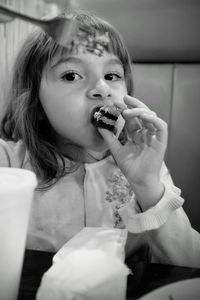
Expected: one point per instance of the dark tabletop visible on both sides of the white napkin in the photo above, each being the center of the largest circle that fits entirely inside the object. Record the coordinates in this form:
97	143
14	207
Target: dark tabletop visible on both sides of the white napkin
145	278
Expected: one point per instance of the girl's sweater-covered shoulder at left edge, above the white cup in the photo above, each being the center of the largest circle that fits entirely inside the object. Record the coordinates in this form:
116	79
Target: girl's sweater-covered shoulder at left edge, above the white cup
12	154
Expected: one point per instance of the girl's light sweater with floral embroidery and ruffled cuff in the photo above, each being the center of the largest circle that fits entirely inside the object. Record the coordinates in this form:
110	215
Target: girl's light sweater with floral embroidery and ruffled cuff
98	195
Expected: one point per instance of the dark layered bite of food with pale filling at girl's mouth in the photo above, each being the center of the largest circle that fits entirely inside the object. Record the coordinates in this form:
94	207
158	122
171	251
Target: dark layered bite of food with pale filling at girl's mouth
106	117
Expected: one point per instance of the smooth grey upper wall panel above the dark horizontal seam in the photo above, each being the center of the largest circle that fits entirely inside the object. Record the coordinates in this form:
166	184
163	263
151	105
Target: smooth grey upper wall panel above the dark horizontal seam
154	30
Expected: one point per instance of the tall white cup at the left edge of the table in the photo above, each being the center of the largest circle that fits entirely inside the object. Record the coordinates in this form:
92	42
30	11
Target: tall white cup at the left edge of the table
16	194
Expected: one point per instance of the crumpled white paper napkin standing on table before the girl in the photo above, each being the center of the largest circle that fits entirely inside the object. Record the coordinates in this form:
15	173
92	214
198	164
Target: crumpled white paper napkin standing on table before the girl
88	267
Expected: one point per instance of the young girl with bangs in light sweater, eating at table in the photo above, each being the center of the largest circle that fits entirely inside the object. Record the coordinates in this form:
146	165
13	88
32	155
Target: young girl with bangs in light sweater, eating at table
88	176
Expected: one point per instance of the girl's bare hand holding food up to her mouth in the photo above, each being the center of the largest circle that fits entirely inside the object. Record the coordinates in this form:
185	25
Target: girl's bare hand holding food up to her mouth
141	158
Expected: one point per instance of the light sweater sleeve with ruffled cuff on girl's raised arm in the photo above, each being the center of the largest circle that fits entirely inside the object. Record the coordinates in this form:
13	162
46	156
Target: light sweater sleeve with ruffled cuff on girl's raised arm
166	228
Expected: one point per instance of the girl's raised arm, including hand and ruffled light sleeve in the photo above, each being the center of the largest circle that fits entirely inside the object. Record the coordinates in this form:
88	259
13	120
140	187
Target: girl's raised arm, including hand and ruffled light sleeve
162	222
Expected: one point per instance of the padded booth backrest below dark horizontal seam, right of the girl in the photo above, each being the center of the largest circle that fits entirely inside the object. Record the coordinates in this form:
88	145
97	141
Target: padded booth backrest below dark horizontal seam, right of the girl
172	90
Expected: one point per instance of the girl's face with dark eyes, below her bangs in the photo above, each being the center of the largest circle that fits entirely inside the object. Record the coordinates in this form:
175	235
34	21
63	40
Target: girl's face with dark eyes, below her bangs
70	89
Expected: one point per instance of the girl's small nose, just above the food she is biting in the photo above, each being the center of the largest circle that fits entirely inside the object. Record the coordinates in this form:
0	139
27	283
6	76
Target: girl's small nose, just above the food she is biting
100	91
